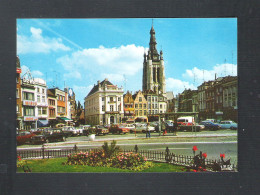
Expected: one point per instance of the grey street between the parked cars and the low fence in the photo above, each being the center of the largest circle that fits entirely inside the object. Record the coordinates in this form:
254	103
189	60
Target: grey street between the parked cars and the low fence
211	142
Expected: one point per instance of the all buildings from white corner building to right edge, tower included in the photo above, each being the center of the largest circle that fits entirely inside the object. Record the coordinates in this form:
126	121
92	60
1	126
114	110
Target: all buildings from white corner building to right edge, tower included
106	103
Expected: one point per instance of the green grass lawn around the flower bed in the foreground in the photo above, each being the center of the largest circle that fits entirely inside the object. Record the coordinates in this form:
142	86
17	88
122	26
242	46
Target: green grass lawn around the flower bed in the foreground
55	166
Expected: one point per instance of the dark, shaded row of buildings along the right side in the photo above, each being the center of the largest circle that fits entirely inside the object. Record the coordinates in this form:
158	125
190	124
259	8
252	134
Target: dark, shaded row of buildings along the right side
215	99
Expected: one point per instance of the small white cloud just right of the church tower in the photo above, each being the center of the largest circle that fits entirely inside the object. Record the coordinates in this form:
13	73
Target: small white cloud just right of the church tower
178	86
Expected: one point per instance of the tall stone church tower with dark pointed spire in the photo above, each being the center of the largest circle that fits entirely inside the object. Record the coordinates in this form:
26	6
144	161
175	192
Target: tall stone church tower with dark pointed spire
153	68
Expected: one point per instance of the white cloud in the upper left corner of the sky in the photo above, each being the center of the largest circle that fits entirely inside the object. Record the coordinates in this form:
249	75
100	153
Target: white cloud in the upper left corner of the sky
36	43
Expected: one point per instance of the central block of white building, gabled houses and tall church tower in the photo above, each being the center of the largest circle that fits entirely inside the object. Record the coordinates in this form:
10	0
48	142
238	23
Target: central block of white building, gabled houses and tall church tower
106	103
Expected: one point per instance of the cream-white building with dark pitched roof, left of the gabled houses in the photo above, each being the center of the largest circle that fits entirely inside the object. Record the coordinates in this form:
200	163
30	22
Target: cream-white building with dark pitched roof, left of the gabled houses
104	104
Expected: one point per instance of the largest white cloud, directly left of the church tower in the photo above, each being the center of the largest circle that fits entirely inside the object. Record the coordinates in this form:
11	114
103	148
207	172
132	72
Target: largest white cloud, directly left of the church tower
112	62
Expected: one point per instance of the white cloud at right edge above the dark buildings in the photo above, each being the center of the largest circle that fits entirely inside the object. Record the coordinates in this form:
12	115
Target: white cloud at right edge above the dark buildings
204	75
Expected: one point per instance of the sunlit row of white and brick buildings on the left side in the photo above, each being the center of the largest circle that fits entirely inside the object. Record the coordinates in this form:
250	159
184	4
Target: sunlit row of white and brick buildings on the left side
38	106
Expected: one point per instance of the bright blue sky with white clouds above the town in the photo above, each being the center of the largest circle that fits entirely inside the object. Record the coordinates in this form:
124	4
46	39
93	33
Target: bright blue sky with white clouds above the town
76	53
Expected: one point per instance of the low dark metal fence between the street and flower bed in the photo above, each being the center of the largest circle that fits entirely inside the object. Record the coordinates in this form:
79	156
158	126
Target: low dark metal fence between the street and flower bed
166	156
